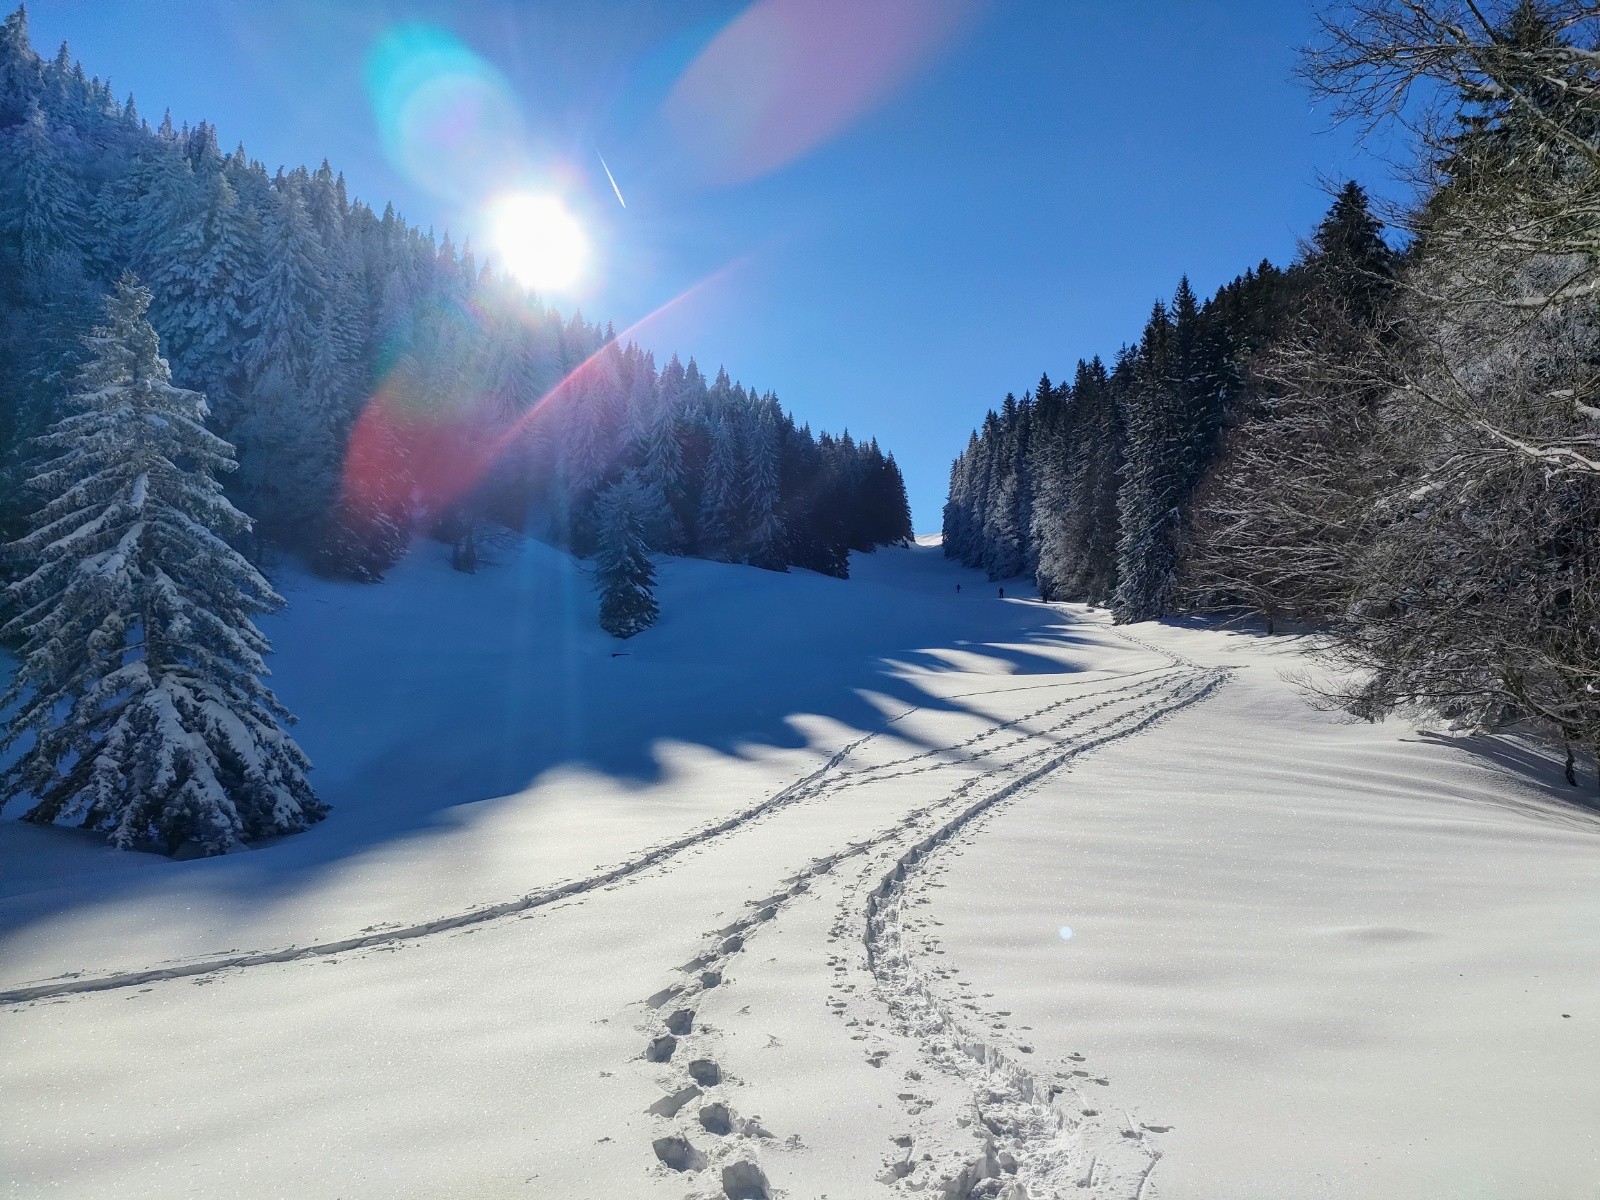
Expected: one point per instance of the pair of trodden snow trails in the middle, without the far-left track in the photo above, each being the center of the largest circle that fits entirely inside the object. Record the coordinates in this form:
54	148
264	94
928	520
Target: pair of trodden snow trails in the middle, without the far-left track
1012	1102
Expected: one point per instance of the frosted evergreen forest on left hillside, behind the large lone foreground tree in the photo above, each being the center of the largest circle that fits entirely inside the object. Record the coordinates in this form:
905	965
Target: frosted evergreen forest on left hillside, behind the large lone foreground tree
372	380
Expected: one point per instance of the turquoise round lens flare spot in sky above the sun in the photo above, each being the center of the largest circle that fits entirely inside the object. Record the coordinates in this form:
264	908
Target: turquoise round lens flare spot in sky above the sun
447	118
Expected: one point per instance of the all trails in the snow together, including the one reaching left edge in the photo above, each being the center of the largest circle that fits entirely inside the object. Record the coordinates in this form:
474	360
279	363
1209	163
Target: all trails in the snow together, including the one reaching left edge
1036	1143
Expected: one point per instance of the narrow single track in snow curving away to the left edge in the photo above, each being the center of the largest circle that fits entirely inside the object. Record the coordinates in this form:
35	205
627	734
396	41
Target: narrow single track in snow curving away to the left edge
806	788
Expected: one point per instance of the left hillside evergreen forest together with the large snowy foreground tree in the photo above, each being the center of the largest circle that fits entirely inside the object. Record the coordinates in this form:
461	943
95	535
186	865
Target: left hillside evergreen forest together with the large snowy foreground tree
206	367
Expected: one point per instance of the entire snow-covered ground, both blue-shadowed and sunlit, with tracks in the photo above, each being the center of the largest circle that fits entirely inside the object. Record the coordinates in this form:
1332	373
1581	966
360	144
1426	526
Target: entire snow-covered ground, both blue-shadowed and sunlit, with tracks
777	905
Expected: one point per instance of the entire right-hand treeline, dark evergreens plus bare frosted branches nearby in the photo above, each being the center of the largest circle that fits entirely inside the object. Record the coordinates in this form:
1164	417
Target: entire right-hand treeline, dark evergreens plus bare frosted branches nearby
1398	450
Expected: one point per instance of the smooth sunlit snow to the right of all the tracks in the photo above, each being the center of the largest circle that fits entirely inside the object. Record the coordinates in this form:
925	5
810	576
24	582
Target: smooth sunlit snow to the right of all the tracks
1330	959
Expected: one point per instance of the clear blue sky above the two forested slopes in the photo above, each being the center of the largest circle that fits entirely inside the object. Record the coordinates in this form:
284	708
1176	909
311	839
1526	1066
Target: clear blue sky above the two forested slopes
1015	198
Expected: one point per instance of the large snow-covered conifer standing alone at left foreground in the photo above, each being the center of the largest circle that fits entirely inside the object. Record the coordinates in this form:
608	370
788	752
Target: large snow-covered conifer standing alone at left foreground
140	702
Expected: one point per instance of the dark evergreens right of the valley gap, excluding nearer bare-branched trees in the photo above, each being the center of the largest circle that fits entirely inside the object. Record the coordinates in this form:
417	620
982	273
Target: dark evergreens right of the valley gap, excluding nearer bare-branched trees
1090	486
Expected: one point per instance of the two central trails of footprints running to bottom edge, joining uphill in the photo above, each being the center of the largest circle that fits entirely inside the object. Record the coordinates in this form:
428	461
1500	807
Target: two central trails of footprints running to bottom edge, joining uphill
1036	1143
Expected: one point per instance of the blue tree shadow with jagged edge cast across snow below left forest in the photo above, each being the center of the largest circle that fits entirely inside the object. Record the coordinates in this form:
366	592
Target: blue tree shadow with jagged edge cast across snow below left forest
434	700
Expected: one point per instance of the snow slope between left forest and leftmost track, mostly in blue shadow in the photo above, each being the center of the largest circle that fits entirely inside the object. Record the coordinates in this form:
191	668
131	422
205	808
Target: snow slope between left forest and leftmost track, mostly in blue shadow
478	735
